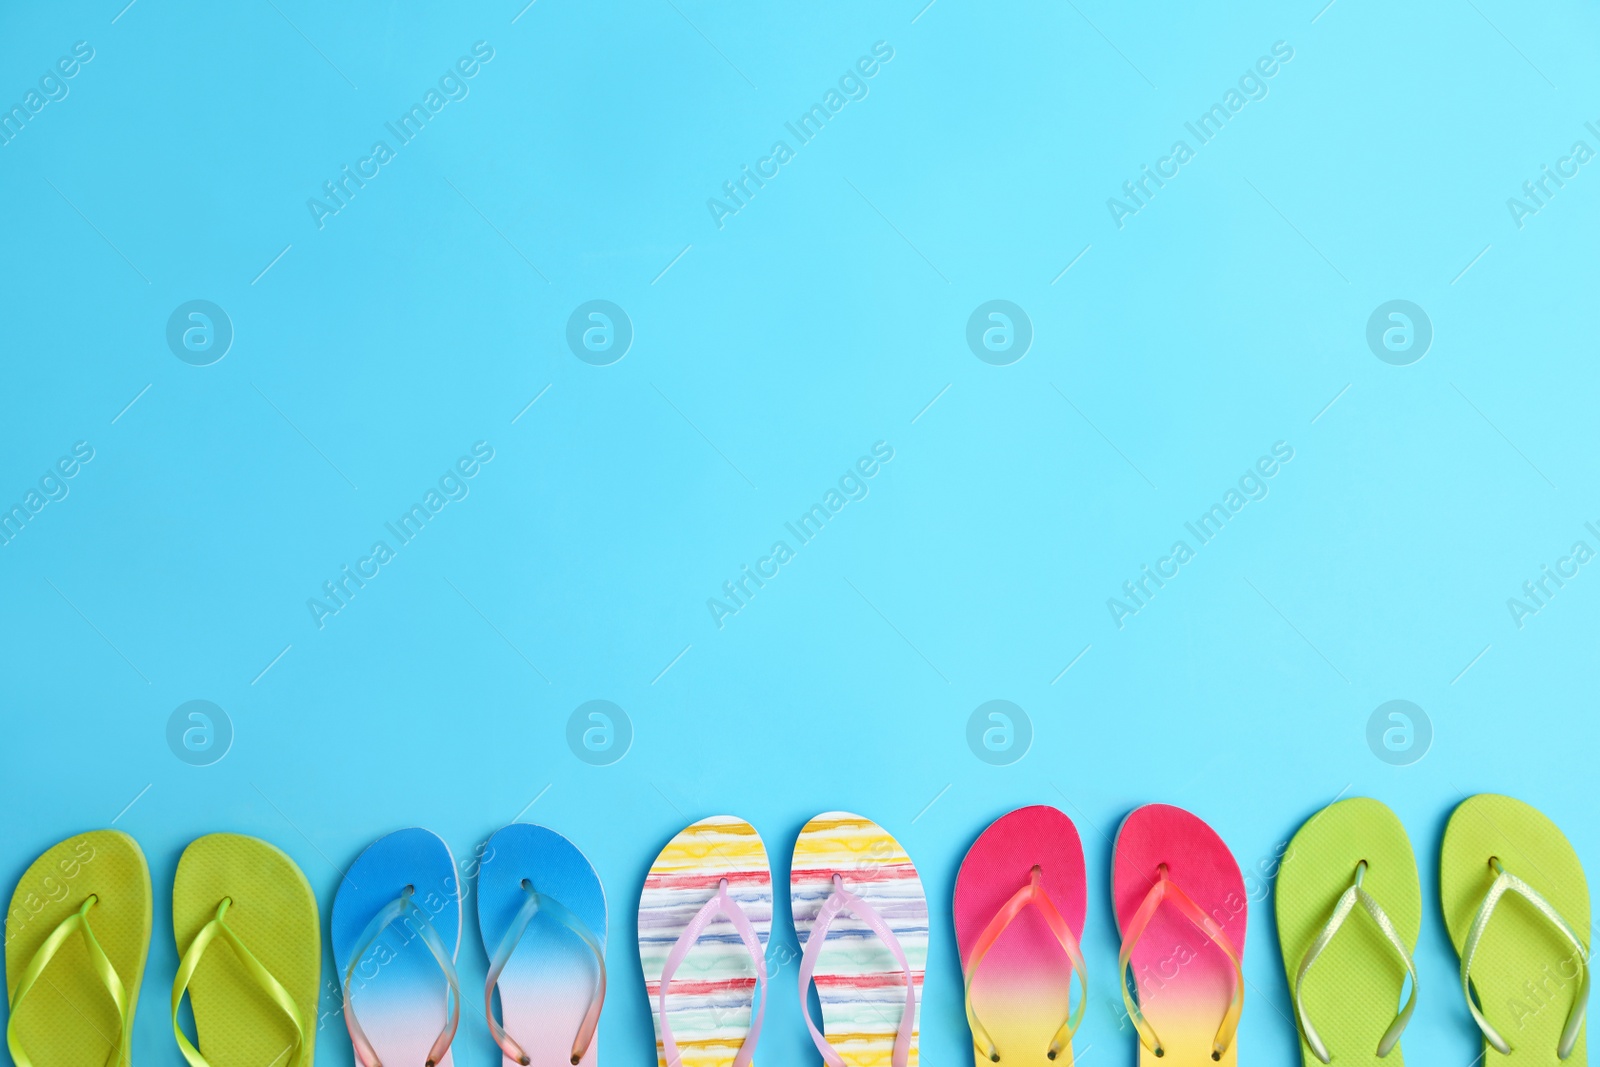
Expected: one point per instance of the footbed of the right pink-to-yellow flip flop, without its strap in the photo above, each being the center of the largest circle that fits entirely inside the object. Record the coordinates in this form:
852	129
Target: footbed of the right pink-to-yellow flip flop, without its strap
1183	980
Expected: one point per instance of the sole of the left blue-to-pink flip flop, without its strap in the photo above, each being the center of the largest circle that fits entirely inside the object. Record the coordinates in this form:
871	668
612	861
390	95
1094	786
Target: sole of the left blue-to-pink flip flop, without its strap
399	994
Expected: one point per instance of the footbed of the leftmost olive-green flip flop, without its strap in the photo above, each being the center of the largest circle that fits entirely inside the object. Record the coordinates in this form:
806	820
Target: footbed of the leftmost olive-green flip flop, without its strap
70	1018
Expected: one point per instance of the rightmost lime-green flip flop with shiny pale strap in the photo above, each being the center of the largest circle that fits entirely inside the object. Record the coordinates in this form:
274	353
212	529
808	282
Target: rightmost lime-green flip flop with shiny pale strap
1527	959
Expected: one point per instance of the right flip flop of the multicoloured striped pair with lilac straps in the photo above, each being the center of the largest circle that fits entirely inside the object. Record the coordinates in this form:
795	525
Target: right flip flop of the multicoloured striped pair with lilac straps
862	919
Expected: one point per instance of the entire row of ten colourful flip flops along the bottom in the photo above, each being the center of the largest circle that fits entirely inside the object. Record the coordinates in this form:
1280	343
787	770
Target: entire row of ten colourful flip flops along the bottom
246	924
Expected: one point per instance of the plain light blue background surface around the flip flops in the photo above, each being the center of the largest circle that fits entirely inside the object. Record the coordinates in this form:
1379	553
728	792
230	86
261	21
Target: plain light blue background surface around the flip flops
822	319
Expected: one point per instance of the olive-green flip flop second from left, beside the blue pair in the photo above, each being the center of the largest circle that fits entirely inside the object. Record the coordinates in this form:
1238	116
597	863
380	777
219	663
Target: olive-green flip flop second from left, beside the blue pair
255	1002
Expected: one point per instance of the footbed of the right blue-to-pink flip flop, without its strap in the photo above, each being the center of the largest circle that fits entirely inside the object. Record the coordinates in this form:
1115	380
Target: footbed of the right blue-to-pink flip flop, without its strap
551	977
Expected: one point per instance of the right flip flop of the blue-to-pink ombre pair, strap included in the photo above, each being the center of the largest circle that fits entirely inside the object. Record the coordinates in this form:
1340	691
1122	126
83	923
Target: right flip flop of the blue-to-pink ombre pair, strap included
542	913
